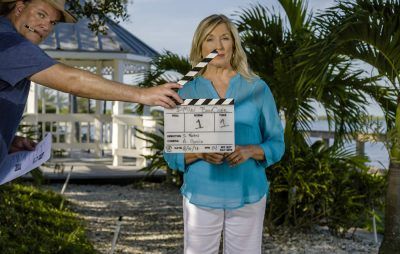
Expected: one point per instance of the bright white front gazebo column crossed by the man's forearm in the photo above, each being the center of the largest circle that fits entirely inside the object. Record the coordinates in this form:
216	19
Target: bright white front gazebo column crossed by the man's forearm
118	108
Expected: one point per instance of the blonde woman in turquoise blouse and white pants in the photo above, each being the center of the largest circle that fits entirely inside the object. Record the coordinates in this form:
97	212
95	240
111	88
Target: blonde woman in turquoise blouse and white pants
227	192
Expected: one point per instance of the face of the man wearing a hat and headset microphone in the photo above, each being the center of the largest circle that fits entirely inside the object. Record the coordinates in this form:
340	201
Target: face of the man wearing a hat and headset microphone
35	20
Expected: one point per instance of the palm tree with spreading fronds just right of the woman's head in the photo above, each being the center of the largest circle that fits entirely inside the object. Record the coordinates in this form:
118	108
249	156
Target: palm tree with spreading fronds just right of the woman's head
275	51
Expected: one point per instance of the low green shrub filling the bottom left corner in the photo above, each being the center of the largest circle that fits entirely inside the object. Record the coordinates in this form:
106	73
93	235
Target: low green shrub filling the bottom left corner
31	222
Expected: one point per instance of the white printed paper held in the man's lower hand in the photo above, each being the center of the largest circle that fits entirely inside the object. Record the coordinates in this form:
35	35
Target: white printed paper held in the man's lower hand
20	163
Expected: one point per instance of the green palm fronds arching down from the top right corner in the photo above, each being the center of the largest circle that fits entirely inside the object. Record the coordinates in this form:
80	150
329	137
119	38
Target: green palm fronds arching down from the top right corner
366	31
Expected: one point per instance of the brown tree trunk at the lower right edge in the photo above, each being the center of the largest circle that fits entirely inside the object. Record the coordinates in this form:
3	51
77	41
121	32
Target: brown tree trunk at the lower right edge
391	239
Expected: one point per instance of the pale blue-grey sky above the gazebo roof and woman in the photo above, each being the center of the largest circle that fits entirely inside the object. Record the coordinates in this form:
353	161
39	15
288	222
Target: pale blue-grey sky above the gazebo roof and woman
170	24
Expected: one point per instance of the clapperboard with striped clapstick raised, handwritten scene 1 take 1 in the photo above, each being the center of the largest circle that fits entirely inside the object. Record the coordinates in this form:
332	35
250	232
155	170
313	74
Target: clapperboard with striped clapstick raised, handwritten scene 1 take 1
200	125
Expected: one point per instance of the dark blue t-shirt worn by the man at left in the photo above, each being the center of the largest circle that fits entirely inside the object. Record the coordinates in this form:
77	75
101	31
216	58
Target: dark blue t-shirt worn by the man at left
19	59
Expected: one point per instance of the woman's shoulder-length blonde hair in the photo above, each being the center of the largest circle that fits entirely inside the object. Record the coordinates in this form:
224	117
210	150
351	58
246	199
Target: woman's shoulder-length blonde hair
206	26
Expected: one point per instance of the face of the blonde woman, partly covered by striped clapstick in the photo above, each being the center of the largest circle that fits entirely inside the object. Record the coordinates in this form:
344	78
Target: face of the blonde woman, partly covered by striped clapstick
220	39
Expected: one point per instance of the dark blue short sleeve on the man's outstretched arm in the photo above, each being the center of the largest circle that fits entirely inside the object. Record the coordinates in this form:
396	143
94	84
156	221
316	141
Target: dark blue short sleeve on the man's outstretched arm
20	58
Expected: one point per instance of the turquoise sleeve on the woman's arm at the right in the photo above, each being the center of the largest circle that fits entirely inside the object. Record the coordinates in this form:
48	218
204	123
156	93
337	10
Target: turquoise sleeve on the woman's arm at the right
271	128
